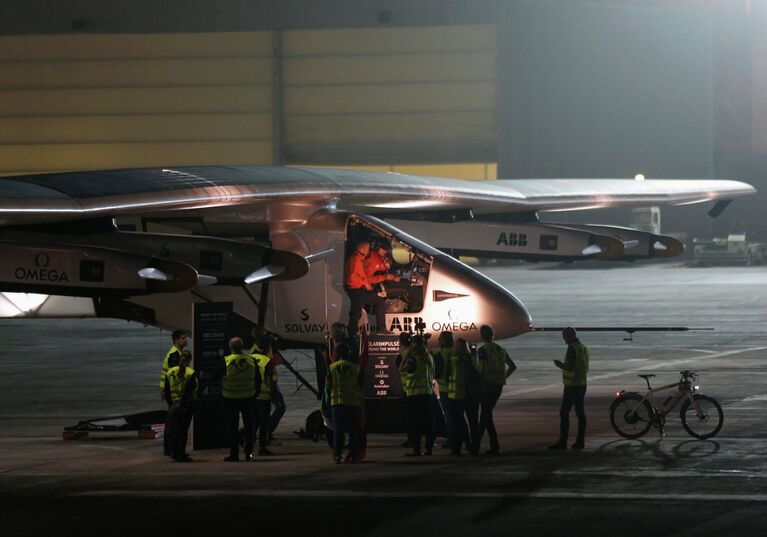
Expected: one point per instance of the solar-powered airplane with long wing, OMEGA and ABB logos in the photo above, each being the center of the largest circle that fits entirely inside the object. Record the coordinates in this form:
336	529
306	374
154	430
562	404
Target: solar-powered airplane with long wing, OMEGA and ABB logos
144	244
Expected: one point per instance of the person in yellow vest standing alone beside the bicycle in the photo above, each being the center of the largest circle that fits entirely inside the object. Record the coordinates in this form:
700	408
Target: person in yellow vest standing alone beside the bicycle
575	368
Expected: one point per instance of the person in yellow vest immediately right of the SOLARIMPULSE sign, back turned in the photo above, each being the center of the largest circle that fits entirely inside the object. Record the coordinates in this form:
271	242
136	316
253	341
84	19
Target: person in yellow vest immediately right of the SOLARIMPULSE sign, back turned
420	395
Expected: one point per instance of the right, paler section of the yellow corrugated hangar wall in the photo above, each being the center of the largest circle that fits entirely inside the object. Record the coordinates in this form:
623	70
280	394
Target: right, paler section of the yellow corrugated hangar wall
390	95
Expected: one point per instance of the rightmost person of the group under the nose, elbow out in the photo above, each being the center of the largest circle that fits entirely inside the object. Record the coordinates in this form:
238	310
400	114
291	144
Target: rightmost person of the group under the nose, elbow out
494	366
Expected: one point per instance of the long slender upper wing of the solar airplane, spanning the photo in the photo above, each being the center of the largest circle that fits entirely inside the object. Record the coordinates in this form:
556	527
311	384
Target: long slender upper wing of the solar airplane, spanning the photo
34	199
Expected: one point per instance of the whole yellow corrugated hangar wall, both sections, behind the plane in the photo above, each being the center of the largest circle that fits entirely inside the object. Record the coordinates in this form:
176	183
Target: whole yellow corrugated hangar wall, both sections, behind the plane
361	96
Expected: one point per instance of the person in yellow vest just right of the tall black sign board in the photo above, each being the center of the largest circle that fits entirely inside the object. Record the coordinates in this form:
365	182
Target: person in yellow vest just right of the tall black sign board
241	384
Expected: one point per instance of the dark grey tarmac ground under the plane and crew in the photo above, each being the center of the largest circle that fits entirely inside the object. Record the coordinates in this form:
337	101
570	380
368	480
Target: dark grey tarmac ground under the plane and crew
56	372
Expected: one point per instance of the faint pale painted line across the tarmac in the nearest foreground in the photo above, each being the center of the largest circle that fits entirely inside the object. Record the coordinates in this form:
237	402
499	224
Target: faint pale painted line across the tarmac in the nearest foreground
364	495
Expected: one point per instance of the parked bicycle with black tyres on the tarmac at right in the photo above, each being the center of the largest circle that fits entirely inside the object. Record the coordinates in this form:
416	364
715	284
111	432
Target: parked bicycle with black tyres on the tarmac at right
632	414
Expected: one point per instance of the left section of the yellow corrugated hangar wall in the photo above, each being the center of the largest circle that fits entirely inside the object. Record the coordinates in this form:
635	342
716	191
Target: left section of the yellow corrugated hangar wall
103	101
